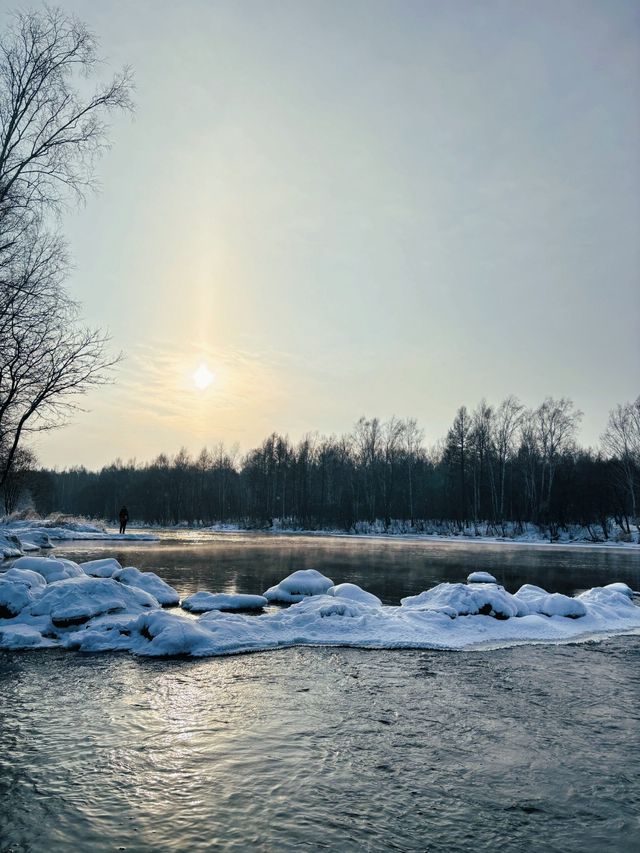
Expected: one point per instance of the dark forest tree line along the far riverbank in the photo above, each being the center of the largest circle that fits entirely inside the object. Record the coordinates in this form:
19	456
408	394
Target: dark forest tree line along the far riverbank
497	467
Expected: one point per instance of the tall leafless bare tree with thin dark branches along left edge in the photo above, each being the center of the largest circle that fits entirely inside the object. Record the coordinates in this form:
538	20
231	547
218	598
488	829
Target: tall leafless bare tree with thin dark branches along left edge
50	136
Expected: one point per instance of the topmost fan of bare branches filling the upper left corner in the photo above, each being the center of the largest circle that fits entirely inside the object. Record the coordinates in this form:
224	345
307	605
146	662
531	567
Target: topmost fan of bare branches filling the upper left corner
50	134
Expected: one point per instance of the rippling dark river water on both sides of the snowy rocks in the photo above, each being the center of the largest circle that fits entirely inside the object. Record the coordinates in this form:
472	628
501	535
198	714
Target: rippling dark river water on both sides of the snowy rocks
523	749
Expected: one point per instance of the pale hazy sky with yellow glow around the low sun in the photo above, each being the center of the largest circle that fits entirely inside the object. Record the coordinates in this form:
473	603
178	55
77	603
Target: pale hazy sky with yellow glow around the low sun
348	208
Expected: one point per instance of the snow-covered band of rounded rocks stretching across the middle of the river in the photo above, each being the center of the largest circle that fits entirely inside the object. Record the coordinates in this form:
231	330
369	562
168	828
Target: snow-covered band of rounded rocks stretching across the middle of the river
39	609
